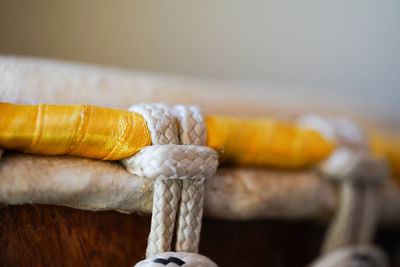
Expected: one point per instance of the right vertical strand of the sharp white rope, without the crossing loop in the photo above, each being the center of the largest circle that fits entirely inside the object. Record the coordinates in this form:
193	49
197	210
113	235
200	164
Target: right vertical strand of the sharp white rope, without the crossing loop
192	131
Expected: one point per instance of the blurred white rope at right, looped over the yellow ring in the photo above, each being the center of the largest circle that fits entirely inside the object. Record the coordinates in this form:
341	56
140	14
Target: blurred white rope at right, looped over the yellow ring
359	176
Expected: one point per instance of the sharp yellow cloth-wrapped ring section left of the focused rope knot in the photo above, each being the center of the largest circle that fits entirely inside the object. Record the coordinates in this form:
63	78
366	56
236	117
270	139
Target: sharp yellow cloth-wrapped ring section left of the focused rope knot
78	130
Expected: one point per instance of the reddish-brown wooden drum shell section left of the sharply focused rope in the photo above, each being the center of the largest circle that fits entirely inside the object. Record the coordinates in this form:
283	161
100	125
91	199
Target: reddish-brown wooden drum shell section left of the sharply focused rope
37	235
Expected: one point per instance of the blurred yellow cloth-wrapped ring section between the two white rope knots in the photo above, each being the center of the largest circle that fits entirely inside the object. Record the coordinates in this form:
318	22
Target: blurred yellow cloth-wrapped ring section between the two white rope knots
265	142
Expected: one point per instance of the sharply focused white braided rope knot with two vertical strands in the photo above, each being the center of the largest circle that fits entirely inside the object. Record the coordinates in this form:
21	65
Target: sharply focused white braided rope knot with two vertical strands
168	163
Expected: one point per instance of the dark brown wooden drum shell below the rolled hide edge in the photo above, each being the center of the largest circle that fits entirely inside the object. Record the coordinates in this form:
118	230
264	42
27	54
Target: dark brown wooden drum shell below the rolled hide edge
40	235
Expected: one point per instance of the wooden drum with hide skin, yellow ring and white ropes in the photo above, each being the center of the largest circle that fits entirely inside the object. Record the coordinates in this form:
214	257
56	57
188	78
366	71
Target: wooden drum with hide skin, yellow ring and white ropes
163	158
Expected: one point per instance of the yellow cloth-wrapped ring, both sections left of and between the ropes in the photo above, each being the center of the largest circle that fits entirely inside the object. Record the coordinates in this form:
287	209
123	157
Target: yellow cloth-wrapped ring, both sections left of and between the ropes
109	134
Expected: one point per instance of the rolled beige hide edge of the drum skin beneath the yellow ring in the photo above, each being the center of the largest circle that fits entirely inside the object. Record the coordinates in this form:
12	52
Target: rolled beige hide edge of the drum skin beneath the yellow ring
232	194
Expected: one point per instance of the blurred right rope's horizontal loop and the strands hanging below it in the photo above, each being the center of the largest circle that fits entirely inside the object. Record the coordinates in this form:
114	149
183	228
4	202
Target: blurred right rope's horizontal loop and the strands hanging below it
359	175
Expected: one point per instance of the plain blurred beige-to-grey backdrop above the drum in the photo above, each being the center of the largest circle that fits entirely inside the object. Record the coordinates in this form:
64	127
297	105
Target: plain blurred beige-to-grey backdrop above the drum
329	54
